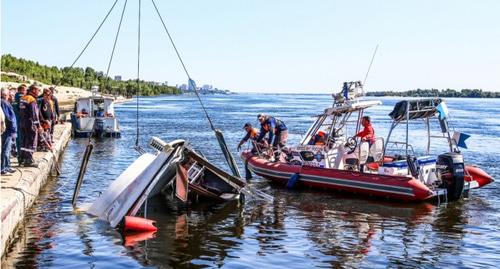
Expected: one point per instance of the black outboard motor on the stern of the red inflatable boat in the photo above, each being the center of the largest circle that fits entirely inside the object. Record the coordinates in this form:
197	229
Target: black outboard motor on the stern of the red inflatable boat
451	167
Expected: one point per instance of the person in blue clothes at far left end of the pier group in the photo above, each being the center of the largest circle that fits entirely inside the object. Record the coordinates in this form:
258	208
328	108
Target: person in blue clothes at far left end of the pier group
10	132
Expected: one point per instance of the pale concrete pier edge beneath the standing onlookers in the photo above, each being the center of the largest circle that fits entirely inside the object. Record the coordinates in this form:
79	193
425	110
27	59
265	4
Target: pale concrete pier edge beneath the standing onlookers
20	189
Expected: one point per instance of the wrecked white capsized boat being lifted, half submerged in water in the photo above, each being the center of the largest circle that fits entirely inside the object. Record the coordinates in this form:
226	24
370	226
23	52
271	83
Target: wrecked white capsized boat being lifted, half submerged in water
175	169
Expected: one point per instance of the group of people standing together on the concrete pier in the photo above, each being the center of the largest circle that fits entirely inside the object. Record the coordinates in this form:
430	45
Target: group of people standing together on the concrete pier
28	119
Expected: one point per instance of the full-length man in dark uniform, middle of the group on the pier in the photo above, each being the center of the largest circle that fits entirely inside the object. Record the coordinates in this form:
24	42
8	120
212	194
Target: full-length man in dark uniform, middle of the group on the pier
30	126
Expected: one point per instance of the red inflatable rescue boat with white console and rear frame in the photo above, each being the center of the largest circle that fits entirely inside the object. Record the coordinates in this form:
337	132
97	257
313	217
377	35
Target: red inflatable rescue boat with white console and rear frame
381	168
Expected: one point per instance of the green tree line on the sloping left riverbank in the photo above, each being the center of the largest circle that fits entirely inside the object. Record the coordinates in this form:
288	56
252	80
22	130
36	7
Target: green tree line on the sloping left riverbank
79	77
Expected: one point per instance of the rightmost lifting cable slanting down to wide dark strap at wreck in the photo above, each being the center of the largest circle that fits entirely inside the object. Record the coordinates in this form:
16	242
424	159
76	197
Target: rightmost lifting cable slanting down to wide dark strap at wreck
218	134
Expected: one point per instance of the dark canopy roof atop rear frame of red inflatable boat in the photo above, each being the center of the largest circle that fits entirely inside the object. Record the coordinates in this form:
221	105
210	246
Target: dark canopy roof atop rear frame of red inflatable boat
416	109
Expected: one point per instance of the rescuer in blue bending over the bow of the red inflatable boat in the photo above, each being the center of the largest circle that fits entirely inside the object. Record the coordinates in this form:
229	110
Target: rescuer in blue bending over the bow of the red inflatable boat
278	133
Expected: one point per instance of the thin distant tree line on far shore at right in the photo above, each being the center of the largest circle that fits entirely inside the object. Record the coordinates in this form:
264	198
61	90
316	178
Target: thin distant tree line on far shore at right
473	93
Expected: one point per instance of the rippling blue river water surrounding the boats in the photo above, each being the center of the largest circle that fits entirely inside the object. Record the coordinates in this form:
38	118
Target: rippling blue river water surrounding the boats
299	229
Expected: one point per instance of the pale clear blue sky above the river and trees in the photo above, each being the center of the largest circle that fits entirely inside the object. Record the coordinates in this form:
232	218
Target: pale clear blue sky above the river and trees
270	46
